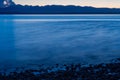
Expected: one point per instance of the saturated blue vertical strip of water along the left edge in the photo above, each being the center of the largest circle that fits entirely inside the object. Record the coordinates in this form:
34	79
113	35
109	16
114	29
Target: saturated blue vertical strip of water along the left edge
6	39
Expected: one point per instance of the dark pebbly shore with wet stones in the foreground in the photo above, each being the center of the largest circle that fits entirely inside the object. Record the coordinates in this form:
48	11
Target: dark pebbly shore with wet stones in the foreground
108	71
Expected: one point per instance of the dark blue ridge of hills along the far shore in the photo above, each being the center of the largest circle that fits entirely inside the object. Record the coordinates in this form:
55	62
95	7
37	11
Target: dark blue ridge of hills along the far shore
57	9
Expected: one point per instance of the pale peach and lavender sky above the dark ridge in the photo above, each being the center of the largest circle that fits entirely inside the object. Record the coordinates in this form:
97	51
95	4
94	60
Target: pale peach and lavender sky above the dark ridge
94	3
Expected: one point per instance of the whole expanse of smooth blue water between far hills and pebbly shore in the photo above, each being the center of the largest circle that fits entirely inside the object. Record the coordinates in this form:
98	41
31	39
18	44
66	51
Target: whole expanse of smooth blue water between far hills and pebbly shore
59	38
